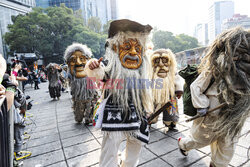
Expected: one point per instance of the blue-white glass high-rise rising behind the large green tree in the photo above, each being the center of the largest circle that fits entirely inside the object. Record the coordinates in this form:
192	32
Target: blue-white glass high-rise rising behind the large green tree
104	9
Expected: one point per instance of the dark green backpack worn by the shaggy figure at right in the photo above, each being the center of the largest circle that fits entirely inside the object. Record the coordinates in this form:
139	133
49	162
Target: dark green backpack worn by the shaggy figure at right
190	73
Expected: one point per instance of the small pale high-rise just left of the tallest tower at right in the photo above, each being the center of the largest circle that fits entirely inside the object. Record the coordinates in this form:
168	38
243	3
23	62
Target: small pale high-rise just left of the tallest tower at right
201	33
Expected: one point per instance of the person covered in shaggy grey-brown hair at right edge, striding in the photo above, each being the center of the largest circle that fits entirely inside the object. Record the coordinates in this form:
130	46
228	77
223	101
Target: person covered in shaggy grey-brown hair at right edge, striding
228	62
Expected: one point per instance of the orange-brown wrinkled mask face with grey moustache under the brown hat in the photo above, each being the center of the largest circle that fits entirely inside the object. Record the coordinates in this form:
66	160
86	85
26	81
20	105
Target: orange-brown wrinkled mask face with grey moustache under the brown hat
130	54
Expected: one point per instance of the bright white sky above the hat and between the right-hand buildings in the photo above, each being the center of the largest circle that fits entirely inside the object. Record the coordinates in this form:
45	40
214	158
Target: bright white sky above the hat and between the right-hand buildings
177	16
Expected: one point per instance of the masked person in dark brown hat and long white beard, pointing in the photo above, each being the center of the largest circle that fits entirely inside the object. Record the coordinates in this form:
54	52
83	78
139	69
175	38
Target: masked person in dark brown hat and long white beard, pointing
126	105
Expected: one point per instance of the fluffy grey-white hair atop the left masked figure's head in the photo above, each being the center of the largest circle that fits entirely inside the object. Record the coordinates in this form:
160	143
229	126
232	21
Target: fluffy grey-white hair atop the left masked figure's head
77	47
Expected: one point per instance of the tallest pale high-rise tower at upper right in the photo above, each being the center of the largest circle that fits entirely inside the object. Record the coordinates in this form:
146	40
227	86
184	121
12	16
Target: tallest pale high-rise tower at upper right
218	12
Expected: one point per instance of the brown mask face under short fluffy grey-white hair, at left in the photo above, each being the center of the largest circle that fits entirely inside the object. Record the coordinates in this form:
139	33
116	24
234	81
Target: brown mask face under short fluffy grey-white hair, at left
77	63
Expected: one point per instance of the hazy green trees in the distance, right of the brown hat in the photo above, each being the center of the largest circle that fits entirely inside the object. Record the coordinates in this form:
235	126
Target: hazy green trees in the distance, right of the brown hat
165	39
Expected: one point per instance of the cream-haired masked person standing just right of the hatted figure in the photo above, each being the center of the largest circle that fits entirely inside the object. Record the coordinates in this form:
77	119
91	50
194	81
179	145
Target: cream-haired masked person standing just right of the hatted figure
164	67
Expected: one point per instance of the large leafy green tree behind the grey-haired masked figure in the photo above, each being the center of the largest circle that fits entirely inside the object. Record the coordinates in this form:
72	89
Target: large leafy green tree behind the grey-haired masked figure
49	31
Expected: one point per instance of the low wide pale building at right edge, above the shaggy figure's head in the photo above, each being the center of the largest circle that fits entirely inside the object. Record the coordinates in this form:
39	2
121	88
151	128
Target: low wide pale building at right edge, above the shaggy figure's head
236	20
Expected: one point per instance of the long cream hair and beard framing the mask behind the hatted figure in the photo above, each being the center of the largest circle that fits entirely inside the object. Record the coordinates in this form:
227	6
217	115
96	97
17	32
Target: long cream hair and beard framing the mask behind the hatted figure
163	95
